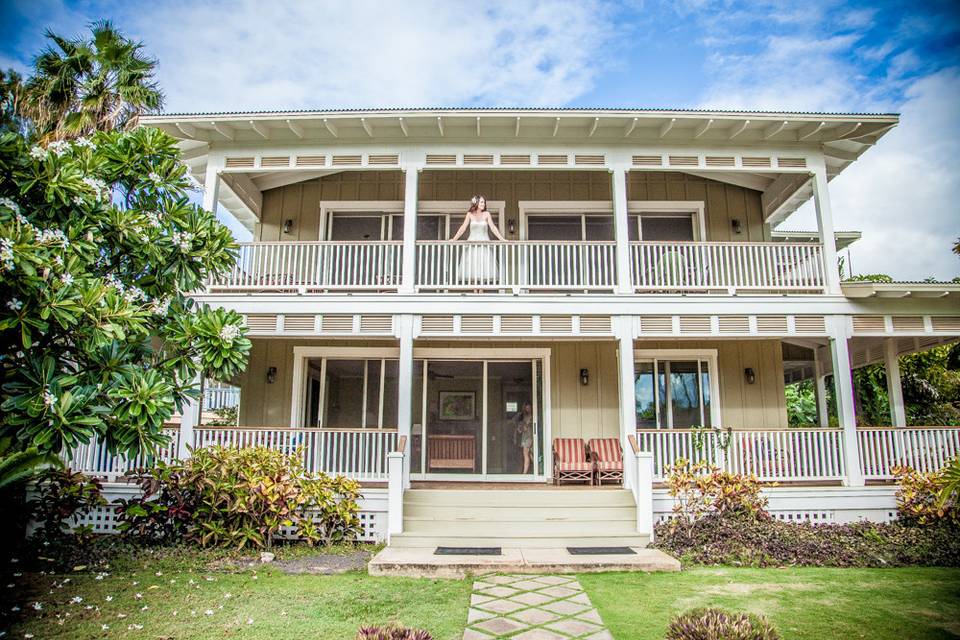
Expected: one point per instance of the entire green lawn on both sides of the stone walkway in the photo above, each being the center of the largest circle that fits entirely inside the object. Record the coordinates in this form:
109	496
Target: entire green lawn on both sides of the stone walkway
197	596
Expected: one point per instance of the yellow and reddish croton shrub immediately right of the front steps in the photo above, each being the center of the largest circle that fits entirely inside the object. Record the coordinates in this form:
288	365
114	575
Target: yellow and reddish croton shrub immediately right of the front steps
701	488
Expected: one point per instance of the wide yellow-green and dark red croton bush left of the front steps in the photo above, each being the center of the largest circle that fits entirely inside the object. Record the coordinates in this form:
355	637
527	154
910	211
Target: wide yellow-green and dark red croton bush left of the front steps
230	497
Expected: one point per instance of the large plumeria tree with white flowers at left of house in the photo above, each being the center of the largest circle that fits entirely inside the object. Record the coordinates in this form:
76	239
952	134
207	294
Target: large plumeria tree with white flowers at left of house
100	248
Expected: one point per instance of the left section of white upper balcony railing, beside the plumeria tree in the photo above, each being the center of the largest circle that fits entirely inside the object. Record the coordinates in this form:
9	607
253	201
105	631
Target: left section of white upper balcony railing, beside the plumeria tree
313	266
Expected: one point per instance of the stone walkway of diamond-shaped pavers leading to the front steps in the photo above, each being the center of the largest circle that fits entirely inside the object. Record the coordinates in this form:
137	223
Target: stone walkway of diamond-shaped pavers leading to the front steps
532	607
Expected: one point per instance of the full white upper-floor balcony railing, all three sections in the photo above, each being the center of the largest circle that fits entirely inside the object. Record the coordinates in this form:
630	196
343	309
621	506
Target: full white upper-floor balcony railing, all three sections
525	266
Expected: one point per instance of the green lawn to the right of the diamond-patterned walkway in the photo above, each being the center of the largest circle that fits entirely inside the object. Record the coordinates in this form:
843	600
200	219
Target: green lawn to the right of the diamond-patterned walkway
879	604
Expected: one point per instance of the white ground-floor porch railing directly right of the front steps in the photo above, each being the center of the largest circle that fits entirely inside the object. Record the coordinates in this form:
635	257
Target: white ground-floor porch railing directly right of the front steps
782	455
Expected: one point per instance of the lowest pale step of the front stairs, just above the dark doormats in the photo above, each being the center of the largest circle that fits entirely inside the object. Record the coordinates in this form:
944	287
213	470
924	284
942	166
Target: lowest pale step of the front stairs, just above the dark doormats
518	542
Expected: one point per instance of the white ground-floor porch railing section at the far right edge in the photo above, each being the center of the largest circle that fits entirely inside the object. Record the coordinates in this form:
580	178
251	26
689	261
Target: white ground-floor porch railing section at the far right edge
921	448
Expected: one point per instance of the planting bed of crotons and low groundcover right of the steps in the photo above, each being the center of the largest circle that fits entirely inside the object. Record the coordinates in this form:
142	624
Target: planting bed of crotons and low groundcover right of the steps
721	518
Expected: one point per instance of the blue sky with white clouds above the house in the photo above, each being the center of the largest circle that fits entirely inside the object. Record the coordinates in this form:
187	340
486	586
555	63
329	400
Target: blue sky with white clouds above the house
812	55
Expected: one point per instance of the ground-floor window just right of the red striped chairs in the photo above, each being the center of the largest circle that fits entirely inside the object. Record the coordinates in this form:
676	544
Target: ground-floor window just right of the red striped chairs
674	392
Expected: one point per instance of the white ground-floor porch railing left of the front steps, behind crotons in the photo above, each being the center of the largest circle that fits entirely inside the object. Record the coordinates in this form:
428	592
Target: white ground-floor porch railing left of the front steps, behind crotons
360	454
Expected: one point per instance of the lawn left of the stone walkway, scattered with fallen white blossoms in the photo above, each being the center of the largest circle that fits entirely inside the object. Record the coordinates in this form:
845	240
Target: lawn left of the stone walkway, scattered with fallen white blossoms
181	597
